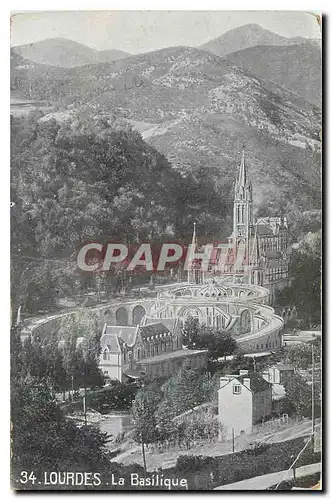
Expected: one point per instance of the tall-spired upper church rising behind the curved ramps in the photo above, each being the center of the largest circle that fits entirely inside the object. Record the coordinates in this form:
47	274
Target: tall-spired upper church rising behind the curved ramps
262	243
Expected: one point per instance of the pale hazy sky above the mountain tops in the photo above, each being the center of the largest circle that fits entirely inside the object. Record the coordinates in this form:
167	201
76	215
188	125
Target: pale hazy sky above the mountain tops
139	31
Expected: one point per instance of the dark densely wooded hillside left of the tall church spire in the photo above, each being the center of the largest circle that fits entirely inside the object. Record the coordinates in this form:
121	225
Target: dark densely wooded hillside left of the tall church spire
92	179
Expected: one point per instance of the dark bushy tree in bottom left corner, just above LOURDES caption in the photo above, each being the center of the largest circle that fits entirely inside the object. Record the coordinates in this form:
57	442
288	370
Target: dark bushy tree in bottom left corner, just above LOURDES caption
43	440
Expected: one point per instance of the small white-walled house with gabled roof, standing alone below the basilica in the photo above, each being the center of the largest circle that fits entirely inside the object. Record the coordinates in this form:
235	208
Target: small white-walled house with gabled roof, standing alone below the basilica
243	400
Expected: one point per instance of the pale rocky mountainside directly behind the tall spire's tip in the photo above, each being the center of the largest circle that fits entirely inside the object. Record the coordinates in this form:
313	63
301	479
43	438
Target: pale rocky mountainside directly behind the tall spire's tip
197	109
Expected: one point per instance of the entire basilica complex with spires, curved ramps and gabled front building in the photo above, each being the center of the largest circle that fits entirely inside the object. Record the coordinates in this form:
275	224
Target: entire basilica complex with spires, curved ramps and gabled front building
143	338
